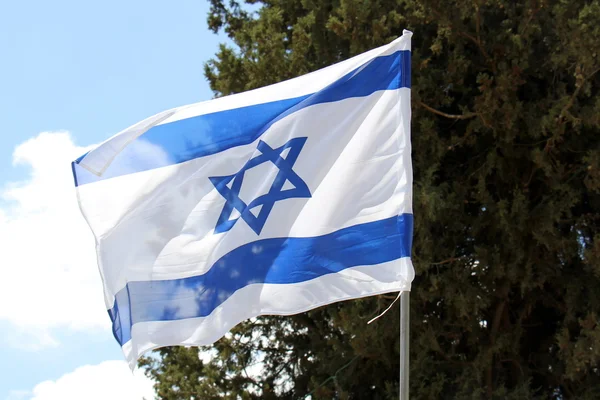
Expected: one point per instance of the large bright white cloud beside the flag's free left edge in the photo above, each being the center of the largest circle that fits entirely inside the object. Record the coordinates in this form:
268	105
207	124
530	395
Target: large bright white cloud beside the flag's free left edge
49	277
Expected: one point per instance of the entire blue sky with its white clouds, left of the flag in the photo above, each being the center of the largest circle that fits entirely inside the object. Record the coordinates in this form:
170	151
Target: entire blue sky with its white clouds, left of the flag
89	69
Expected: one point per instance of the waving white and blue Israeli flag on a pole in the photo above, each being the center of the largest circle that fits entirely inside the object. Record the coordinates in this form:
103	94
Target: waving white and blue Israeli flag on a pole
273	201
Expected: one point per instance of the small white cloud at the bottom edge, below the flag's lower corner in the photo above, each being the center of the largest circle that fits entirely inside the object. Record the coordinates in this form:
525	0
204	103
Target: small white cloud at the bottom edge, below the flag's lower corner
108	380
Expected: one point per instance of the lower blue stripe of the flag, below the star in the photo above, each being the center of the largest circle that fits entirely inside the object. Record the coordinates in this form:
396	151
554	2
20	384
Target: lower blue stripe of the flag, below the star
279	261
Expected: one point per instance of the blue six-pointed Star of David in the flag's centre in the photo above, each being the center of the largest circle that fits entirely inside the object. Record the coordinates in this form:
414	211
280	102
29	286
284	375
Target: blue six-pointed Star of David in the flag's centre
231	193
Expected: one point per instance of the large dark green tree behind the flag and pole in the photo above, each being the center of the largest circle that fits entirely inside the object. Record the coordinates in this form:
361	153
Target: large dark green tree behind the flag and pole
506	153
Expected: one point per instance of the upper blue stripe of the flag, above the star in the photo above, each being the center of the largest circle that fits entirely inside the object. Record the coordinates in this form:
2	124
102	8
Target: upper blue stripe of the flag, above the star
208	134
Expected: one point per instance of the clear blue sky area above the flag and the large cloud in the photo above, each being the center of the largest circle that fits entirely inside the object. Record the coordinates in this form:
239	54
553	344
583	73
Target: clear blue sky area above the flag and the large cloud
93	68
